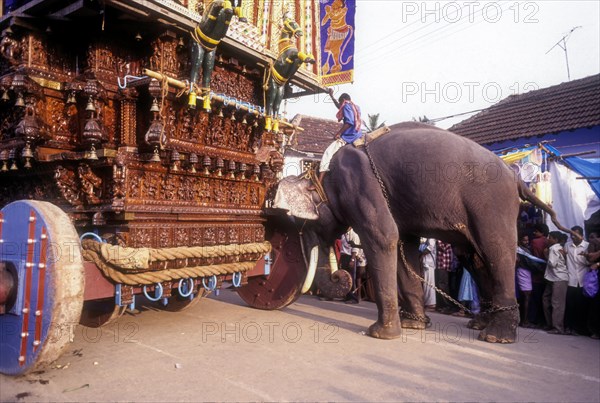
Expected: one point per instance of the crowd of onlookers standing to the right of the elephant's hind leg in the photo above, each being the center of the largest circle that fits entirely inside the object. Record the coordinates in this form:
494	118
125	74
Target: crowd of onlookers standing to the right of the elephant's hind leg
552	285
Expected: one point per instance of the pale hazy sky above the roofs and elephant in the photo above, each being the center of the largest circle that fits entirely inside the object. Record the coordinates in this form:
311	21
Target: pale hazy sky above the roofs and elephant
446	58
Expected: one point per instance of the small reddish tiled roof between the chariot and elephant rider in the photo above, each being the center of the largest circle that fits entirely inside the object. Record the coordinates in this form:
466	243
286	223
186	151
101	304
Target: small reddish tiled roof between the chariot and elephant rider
317	135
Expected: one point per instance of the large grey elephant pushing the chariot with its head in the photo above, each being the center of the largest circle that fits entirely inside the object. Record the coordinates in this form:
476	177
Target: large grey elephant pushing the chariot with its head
418	180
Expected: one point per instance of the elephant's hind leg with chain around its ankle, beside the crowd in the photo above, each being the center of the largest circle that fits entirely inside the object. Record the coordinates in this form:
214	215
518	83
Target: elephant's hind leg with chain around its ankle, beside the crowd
497	282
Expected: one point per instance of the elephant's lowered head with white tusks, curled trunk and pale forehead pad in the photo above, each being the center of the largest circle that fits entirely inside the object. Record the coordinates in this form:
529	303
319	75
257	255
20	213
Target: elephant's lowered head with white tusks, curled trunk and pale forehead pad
319	228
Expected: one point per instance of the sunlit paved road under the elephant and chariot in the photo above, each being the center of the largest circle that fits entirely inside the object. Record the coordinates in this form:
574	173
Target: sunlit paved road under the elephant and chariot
221	350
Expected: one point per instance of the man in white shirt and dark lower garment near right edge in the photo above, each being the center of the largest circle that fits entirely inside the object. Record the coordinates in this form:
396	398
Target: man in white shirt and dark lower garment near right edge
577	265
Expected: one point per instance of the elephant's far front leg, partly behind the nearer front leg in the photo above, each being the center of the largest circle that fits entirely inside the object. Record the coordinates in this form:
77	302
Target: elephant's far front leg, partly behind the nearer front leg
412	310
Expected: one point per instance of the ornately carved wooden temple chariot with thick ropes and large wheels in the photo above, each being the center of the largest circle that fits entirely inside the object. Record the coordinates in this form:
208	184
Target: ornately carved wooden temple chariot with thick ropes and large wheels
105	169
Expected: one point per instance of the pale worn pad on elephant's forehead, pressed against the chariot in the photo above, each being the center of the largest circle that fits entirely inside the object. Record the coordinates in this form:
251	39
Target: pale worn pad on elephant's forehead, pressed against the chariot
293	195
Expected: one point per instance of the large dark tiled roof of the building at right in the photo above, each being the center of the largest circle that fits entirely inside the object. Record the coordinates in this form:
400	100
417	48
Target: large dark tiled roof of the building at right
563	107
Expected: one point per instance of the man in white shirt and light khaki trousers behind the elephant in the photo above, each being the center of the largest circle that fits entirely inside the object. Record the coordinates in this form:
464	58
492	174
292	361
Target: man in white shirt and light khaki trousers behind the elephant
557	281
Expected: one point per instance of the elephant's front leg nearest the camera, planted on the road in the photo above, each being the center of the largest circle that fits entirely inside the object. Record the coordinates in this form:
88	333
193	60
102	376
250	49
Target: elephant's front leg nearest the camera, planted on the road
382	258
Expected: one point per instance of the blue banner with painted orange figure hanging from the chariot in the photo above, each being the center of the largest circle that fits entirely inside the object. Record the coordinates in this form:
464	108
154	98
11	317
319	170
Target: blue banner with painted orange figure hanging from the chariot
337	41
